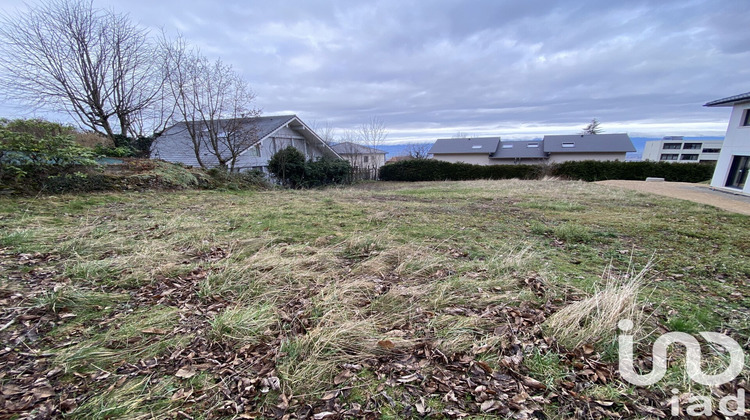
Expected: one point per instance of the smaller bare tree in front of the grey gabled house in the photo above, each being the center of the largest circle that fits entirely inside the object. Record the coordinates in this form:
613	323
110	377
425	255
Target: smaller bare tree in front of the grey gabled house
213	101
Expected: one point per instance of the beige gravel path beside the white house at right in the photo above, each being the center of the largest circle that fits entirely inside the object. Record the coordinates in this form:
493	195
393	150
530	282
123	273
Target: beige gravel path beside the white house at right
698	193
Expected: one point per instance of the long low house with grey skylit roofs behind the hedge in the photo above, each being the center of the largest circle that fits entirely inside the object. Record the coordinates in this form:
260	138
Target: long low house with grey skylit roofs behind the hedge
556	148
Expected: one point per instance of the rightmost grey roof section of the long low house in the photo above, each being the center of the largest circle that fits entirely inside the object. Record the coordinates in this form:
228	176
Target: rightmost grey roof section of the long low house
585	143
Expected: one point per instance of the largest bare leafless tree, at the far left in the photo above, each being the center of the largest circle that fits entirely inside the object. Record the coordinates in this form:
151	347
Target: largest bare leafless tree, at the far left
96	65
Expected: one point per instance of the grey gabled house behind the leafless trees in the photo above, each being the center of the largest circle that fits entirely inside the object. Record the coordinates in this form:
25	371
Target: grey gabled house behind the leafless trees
270	134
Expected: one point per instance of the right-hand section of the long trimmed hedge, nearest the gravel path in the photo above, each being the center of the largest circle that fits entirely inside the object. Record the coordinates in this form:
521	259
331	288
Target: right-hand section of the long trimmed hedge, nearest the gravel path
637	171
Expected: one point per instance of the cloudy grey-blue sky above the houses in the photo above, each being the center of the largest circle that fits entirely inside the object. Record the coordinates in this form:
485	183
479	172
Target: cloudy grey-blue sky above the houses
433	68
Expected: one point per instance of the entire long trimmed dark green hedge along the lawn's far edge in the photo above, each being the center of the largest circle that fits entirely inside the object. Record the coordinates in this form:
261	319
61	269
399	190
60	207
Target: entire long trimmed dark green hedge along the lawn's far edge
435	170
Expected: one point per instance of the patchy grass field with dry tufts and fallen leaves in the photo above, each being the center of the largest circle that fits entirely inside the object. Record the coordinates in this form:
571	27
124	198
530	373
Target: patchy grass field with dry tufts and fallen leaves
380	300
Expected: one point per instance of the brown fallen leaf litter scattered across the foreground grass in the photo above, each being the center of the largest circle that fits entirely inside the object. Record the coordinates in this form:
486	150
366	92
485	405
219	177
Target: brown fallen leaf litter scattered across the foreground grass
415	380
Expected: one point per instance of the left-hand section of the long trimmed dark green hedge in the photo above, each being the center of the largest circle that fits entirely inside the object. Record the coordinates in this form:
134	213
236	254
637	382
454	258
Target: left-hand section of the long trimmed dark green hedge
435	170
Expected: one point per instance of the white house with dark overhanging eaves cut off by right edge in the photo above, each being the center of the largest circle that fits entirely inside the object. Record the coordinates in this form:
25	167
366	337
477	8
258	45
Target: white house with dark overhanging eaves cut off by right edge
734	160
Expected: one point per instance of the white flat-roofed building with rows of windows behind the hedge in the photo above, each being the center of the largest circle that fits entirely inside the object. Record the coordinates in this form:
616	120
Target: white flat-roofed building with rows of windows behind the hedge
677	149
